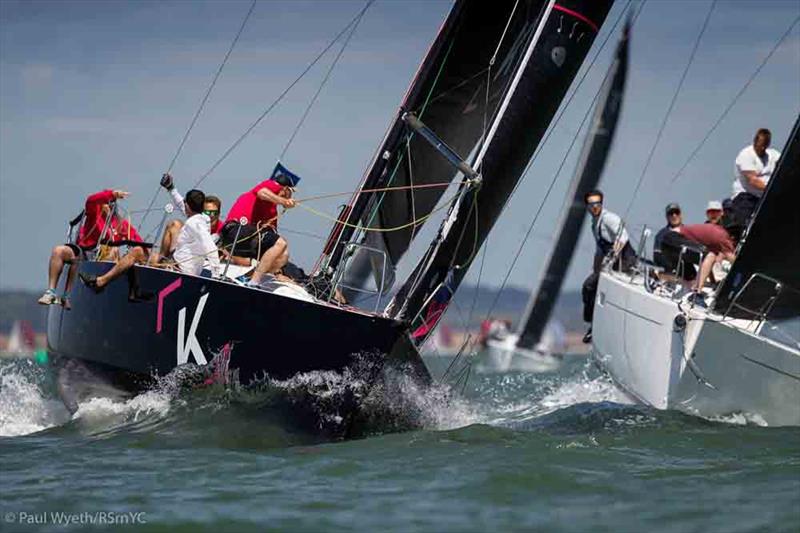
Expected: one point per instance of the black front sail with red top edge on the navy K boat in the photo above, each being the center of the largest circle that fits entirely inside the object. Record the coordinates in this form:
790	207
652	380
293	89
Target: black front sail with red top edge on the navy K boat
546	44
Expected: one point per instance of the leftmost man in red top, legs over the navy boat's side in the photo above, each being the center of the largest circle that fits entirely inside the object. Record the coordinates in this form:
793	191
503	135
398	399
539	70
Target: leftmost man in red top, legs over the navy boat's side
98	226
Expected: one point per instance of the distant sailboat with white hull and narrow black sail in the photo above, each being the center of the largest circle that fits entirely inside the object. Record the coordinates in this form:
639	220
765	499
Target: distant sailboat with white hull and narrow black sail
535	345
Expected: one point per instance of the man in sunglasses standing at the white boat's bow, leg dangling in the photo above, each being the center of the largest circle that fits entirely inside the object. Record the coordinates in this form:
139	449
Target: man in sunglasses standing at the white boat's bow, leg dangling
612	241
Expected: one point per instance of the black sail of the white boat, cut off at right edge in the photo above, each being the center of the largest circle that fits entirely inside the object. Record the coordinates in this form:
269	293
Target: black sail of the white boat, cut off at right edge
771	246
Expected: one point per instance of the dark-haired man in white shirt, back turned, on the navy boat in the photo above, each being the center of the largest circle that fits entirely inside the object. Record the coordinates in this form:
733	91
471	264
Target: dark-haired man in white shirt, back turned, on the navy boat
195	249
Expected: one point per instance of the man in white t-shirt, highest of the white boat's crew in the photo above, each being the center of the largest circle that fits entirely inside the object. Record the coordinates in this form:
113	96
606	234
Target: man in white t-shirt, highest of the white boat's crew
754	166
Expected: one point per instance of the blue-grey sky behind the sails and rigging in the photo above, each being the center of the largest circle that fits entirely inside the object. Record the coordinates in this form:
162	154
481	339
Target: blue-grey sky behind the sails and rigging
97	95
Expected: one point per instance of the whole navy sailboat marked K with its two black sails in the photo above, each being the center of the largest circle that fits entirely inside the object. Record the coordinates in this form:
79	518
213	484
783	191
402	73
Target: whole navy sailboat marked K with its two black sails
492	96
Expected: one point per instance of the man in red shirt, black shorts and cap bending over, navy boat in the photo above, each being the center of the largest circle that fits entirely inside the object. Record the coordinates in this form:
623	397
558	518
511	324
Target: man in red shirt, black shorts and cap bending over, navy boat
258	238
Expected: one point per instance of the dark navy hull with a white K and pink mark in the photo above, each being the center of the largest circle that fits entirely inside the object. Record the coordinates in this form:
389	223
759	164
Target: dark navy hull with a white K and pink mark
147	323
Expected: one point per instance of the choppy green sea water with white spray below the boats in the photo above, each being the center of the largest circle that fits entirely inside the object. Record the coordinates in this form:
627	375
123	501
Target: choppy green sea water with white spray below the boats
561	451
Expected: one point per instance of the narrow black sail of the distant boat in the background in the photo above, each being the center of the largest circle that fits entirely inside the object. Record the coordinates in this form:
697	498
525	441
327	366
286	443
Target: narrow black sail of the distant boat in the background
587	175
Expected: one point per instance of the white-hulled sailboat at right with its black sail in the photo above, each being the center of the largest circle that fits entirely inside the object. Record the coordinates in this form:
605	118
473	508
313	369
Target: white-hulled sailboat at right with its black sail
741	355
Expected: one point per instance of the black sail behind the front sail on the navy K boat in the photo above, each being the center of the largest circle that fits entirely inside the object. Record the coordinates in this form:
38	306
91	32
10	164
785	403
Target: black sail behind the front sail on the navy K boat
449	93
